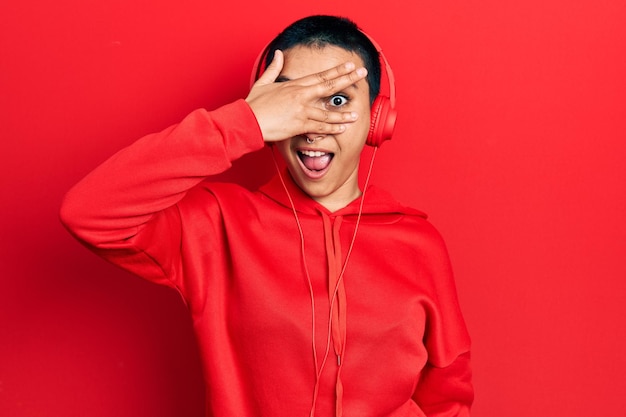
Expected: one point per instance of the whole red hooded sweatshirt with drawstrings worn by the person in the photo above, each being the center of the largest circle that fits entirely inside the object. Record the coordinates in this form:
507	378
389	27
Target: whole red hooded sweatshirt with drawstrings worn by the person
281	329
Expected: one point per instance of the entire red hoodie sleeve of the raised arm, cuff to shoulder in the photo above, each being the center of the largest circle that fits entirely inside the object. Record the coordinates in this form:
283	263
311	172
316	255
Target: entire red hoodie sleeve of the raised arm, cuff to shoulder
109	209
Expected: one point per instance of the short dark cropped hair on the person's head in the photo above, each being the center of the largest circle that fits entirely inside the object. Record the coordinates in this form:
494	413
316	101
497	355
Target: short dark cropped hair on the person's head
324	30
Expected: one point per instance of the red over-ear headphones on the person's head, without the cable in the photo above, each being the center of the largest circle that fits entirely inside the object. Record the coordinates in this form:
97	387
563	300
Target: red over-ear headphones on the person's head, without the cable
383	112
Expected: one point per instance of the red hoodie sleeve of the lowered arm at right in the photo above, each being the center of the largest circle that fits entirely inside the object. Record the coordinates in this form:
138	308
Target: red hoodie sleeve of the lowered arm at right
445	385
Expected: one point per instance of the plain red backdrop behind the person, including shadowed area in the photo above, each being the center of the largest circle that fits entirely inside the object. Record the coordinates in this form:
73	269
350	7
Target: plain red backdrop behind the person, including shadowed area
510	135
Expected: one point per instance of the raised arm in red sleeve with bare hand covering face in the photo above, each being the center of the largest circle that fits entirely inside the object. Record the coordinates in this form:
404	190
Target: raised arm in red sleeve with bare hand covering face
129	202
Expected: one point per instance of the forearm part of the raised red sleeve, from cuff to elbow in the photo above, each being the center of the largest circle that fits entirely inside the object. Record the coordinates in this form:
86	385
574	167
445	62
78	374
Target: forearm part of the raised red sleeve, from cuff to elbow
155	172
